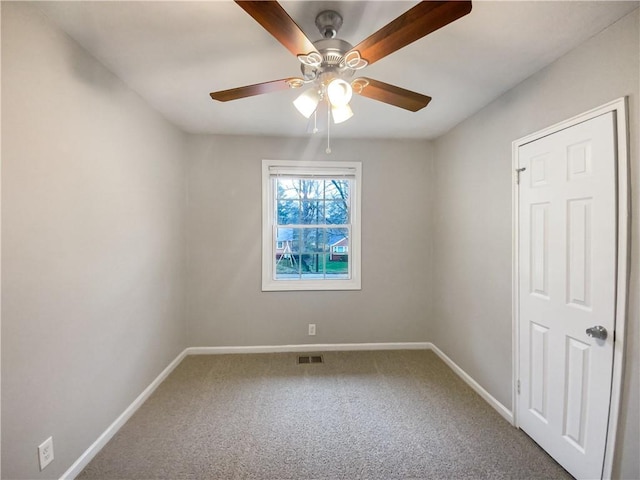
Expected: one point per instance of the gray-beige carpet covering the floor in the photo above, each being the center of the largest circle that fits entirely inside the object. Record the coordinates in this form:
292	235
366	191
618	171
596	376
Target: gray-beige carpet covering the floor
360	415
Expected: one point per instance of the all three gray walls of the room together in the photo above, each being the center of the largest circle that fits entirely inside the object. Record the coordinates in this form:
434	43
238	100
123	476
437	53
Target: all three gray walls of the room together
95	231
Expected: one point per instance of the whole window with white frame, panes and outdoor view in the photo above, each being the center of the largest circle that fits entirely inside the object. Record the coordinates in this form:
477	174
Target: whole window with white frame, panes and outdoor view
311	225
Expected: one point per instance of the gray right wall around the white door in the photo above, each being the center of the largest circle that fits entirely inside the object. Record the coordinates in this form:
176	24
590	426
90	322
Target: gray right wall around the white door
472	295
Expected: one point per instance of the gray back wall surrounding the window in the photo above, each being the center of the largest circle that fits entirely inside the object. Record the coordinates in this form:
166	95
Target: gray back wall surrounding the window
225	303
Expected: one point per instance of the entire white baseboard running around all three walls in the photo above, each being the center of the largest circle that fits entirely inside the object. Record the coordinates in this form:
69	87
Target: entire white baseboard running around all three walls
102	440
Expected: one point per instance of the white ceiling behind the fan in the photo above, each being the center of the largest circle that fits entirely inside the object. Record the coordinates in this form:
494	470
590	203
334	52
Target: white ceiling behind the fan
173	53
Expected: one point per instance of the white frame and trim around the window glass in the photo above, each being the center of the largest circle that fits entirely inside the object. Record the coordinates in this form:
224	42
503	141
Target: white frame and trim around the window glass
270	168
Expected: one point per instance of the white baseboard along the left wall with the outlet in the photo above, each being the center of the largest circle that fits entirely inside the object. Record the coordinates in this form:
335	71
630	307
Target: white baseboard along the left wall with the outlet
112	429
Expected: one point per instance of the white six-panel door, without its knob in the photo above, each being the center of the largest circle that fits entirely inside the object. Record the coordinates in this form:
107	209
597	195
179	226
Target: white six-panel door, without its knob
567	284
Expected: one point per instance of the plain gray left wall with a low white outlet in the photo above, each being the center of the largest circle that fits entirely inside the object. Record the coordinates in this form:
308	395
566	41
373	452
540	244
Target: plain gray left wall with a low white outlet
92	300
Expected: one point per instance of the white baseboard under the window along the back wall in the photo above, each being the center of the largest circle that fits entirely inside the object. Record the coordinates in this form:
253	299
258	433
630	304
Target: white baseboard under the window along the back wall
312	347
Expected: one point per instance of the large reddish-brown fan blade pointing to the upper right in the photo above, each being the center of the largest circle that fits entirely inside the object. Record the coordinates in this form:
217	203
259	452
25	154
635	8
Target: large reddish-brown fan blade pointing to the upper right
424	18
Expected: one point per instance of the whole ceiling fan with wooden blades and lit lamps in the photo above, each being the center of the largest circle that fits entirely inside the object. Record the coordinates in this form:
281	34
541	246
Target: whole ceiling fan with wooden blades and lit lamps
329	64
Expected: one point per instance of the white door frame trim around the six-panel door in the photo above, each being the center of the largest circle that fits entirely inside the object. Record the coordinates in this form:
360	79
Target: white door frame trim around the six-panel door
619	107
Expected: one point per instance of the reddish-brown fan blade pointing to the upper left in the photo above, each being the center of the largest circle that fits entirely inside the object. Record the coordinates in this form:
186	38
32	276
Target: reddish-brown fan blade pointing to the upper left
275	20
